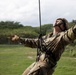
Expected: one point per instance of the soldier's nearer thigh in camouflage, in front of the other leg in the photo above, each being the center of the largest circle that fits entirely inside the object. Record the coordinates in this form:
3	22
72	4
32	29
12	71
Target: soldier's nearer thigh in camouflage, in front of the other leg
39	68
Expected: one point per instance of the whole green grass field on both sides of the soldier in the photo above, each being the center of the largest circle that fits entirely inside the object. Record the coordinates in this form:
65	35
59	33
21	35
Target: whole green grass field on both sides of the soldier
14	59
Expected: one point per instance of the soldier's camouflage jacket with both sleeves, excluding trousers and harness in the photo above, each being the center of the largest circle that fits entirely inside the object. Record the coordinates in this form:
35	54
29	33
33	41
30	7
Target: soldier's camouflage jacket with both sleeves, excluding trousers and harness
56	43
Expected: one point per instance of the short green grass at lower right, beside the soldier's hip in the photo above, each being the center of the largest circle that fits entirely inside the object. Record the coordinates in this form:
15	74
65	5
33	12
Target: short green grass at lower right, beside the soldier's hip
66	66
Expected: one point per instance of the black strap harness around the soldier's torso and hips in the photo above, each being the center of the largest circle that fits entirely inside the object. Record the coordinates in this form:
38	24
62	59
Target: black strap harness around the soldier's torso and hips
47	49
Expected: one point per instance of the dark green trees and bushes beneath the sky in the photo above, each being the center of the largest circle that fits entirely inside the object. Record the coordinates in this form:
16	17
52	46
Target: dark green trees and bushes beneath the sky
10	28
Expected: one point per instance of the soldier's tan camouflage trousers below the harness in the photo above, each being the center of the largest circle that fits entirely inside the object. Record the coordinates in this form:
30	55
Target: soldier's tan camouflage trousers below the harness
39	68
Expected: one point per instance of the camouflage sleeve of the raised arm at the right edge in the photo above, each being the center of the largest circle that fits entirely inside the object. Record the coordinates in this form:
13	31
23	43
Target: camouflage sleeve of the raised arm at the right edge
69	35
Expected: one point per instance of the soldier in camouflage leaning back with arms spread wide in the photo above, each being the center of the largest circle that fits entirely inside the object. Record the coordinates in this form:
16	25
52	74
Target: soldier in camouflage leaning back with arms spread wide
53	46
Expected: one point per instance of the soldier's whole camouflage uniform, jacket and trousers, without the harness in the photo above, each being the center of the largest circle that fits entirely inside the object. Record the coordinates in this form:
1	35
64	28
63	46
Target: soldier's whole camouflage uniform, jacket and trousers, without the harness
56	43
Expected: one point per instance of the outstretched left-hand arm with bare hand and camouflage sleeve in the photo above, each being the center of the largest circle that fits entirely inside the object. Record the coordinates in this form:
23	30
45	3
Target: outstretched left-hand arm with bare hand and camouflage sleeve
26	41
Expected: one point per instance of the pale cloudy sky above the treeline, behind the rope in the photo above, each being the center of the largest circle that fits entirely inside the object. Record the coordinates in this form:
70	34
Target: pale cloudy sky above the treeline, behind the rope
27	12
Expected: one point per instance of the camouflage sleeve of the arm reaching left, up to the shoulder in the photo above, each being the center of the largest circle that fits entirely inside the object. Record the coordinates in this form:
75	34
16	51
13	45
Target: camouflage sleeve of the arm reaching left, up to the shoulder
33	43
